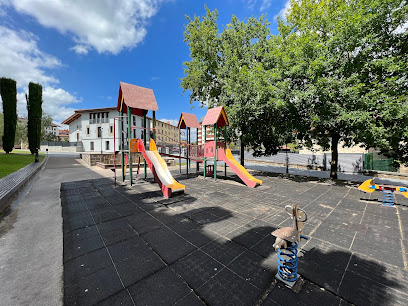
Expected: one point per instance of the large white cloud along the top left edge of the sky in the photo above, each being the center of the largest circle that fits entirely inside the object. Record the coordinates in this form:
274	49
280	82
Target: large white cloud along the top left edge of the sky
106	25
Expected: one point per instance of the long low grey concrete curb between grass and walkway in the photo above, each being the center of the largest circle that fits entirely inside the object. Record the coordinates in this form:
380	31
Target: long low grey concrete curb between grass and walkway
15	186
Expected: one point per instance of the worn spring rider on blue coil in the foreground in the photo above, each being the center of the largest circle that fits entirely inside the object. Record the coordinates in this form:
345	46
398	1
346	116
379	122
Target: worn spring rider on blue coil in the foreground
286	243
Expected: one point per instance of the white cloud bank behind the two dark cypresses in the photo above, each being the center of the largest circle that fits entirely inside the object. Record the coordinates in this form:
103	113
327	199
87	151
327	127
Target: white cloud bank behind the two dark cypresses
24	62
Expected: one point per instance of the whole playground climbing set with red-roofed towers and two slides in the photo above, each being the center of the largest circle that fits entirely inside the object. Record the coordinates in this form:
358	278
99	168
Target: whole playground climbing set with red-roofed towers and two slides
135	100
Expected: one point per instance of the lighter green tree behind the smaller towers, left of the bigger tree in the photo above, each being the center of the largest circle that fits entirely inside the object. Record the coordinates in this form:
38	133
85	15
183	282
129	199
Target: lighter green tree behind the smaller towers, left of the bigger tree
234	68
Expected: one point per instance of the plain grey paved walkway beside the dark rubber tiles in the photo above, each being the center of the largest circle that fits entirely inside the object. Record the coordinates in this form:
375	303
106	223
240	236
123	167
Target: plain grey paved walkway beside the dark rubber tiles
31	238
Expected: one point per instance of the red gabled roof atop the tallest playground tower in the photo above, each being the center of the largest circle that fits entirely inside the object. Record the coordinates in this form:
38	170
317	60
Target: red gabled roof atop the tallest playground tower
139	99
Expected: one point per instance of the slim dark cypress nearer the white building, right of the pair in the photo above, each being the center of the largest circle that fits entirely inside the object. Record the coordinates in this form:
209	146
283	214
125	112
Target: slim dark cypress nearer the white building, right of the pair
34	107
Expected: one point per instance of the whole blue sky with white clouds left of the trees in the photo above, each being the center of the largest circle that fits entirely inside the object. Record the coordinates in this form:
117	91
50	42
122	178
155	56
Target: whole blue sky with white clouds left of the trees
80	50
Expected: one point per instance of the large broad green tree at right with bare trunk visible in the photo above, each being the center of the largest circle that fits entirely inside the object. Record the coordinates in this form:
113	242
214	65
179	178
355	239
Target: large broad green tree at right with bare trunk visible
347	68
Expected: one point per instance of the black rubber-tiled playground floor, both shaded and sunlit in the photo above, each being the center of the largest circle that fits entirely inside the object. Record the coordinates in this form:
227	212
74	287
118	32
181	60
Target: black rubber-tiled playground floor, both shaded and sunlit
212	245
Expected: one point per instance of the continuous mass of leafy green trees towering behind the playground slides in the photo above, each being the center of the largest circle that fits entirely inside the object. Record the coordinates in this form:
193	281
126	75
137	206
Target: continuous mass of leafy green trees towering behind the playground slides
337	71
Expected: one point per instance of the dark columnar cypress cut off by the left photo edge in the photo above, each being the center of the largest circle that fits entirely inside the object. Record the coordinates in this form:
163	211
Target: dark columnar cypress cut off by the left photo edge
8	91
